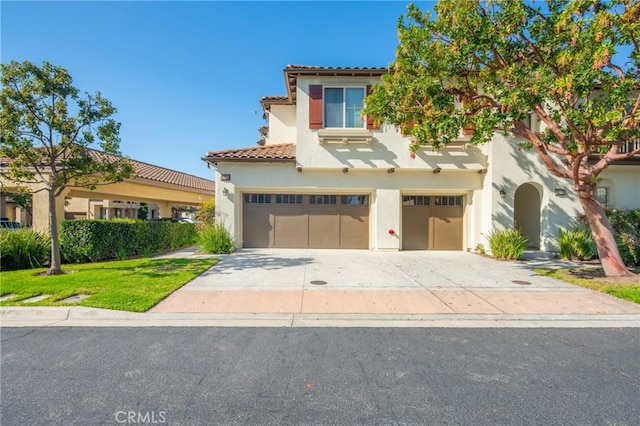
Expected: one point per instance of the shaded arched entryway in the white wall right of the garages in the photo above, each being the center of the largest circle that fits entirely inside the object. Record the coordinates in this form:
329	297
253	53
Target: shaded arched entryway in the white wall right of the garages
526	213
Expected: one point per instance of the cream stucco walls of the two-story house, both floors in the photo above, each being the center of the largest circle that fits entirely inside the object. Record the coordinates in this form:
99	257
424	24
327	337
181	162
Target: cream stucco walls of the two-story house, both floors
479	173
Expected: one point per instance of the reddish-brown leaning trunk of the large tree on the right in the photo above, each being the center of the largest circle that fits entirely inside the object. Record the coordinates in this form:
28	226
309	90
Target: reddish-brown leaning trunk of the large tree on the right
603	236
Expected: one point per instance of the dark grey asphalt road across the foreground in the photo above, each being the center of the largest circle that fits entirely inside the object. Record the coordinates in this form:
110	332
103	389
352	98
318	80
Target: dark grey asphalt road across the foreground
259	376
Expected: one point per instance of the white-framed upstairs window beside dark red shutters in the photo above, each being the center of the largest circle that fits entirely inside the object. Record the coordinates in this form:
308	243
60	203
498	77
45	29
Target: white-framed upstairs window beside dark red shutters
342	107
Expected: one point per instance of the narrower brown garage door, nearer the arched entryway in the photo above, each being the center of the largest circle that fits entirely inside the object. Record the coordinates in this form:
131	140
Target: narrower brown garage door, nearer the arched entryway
431	222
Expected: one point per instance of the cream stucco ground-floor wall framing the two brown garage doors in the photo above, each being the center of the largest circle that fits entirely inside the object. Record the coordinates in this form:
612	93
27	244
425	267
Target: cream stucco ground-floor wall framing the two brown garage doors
386	190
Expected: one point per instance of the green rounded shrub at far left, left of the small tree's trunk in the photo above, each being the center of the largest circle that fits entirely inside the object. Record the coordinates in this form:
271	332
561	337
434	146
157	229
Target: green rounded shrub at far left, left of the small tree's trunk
24	249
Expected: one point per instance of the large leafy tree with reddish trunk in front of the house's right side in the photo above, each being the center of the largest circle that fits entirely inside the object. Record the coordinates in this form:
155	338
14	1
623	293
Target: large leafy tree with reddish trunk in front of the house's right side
486	65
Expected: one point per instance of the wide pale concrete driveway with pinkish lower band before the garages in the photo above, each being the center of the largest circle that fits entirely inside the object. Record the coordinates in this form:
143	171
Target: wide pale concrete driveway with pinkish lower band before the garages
311	281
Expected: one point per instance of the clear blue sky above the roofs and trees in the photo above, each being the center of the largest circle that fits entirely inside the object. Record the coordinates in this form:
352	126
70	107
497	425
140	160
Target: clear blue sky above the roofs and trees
187	77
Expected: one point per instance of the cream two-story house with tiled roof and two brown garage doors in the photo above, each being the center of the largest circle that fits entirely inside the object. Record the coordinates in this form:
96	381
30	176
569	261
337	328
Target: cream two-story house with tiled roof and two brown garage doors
322	177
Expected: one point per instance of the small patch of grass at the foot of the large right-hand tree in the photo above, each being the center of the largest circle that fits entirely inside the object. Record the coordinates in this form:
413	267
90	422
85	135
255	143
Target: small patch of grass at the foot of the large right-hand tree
593	278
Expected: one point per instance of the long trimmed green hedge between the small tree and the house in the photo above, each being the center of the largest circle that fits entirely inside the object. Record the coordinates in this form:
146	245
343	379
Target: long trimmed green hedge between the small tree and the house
96	240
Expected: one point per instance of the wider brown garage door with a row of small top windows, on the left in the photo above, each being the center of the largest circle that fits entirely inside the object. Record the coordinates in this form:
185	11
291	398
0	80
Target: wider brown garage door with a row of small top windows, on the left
302	220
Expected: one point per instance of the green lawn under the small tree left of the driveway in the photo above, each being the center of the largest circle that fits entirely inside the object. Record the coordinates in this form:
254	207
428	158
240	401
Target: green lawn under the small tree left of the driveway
129	285
